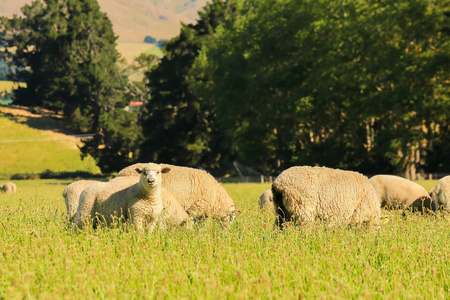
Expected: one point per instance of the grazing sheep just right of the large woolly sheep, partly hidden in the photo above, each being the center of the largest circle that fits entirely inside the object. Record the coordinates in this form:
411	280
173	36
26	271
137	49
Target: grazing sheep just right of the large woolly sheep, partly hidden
399	193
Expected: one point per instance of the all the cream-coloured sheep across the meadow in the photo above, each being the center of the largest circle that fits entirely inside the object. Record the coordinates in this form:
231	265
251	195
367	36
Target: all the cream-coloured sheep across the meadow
149	193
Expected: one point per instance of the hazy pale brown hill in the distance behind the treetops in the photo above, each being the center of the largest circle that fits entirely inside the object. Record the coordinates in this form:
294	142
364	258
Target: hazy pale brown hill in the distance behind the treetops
133	20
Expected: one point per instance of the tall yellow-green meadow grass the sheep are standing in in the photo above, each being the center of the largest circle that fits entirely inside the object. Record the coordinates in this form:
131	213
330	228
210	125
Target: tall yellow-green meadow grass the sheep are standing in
40	258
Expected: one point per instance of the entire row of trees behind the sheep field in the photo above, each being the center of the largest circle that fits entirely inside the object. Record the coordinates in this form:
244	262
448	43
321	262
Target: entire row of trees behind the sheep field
355	84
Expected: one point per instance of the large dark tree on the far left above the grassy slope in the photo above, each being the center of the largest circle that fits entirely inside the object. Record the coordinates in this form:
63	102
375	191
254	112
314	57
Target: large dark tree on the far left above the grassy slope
65	51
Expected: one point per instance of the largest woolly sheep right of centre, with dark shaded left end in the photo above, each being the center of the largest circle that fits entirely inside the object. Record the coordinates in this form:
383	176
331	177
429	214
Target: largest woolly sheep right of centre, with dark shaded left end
306	194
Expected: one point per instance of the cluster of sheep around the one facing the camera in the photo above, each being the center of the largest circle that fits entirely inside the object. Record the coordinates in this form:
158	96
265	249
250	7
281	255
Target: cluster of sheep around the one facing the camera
170	195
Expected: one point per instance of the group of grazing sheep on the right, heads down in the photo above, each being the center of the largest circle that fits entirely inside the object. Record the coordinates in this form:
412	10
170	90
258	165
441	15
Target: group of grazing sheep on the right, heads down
306	194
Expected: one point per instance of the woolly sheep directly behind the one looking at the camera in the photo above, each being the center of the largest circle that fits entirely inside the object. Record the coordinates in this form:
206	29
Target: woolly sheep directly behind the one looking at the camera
197	192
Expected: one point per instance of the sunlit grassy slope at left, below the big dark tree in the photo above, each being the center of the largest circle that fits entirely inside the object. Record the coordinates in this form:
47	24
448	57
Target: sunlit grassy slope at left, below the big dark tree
27	150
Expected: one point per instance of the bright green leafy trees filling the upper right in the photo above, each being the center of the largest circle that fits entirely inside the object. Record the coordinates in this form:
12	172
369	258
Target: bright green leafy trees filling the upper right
349	84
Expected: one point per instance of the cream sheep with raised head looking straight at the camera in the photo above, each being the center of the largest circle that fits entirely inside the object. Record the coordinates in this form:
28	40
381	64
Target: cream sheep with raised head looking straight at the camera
114	199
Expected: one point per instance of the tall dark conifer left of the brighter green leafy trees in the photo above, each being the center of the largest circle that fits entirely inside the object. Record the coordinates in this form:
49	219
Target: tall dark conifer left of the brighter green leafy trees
178	126
